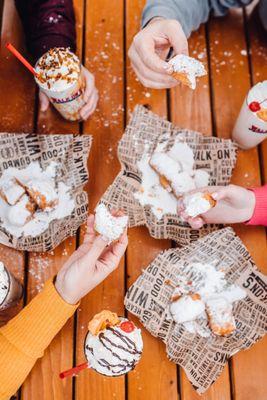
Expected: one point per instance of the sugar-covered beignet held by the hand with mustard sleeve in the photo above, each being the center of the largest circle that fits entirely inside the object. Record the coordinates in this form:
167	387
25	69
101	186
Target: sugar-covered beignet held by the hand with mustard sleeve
107	225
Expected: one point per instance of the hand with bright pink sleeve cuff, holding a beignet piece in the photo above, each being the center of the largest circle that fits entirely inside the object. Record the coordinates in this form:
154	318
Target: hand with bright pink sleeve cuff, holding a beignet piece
234	205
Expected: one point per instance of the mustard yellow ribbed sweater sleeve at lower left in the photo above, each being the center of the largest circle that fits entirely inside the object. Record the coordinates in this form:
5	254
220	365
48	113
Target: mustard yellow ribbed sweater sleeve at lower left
24	338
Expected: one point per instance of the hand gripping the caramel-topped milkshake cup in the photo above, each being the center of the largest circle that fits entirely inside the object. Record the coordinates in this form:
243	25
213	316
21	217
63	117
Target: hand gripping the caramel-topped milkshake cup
90	96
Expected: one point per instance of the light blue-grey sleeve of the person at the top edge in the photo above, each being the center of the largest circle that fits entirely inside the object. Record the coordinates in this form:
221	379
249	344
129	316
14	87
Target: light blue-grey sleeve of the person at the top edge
190	13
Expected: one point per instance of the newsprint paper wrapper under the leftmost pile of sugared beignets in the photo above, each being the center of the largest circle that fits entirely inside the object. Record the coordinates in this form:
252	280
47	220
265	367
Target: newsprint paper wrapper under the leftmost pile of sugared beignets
71	152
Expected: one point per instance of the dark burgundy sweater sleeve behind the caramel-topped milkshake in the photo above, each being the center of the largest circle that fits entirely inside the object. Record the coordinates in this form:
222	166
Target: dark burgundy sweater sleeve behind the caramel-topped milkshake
47	24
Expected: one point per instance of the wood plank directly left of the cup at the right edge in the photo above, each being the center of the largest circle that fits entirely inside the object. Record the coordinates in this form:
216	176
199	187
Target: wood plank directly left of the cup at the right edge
231	81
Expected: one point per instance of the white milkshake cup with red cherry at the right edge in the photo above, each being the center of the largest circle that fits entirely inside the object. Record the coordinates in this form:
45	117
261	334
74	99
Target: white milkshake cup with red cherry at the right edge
251	125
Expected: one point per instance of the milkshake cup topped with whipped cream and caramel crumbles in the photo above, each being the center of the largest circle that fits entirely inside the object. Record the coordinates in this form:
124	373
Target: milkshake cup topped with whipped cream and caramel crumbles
59	76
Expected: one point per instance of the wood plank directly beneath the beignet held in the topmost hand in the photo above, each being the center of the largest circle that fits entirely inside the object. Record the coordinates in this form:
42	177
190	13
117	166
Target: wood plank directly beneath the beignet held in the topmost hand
192	109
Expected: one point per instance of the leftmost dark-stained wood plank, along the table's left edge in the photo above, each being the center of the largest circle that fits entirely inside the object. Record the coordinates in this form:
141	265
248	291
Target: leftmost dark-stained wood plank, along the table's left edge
17	114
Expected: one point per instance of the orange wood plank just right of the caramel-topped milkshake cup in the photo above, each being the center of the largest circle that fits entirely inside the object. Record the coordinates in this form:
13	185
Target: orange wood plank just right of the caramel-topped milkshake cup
104	57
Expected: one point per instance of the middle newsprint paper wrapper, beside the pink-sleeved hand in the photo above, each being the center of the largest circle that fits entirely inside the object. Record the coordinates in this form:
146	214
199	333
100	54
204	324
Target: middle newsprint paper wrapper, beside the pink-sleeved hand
142	135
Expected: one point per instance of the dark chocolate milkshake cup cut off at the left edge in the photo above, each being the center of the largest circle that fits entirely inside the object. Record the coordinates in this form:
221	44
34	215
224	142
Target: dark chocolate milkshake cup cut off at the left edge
10	289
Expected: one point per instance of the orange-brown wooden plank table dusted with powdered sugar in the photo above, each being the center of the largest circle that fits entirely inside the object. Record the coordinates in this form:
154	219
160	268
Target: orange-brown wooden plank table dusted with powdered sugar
236	56
